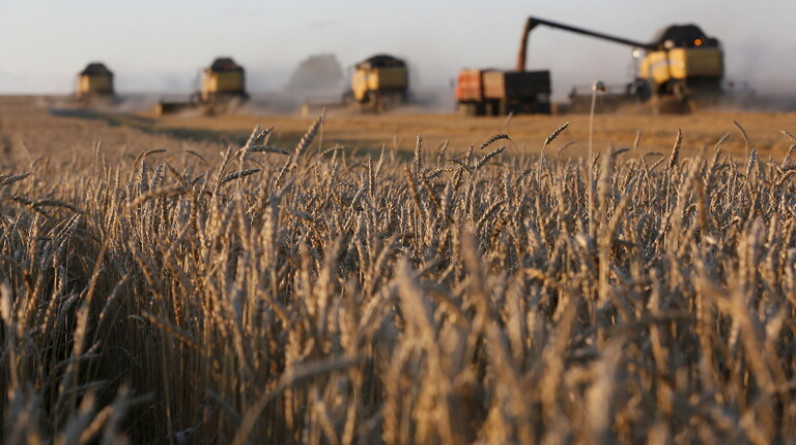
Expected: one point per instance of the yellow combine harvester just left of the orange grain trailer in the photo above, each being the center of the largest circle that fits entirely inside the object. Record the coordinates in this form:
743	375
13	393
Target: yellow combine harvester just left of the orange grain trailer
379	83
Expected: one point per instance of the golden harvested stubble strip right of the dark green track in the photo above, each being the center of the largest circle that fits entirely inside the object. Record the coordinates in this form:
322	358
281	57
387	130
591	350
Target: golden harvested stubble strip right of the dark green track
657	133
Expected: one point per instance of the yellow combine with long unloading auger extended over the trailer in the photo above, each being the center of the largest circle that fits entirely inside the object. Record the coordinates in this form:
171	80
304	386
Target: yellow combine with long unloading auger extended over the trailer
681	65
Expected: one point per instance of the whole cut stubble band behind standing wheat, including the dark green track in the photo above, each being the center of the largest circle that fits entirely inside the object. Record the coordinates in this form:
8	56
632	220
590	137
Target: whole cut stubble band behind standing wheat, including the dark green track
29	129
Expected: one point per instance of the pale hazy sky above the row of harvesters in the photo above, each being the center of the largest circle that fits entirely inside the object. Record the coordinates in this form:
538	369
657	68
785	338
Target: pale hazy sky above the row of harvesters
162	45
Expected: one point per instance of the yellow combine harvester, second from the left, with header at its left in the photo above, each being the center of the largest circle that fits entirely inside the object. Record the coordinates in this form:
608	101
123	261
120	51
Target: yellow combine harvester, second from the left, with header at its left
222	88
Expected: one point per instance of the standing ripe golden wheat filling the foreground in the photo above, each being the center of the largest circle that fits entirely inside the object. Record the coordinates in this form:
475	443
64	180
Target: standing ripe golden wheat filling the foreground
307	294
